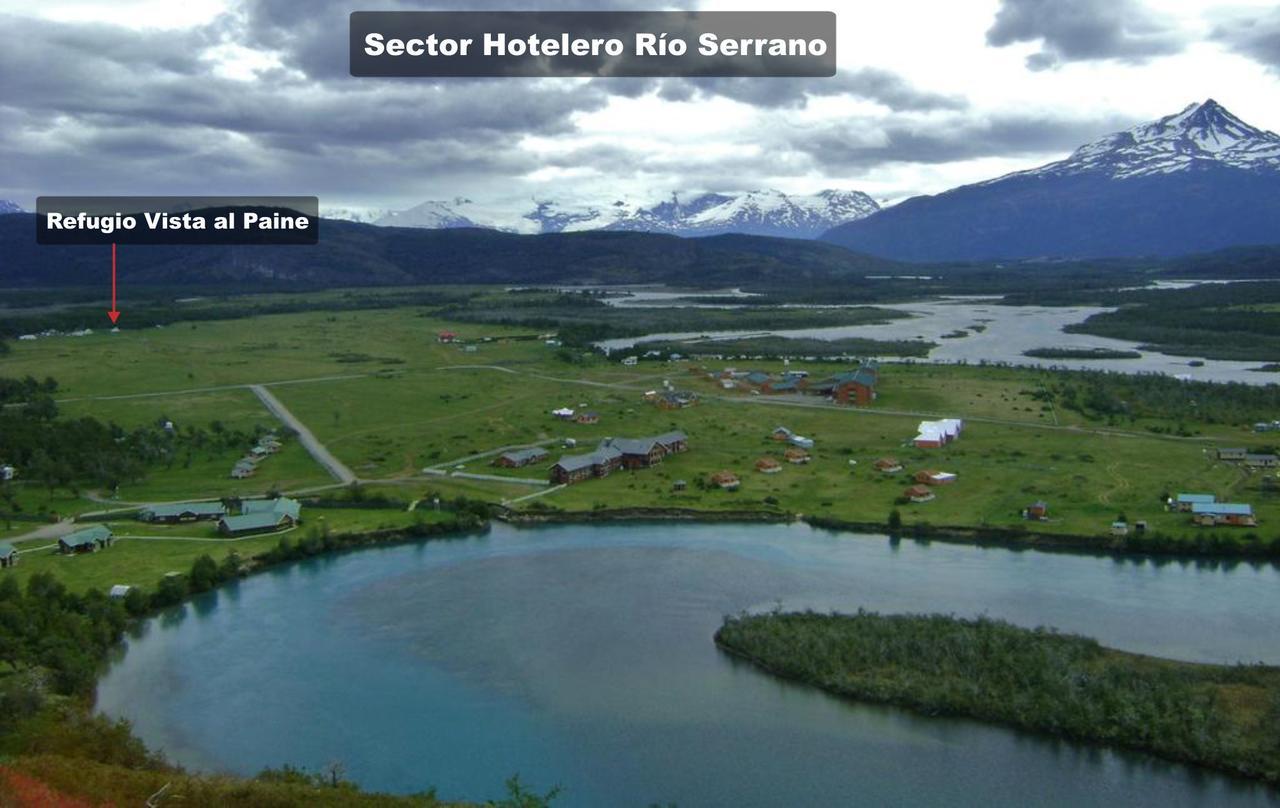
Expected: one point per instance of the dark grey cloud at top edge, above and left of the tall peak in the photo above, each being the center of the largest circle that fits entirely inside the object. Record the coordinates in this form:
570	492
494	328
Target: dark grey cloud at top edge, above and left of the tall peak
1084	30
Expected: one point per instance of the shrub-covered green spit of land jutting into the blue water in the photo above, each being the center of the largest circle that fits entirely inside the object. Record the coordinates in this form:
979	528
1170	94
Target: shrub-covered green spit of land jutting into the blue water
1224	718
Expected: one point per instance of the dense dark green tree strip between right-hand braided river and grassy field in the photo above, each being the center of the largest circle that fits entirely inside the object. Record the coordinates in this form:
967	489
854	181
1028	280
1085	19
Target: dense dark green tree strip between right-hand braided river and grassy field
1105	395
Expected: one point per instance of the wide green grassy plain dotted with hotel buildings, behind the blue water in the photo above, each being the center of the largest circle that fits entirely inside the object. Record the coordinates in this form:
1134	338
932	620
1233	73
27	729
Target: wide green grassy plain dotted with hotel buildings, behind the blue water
388	400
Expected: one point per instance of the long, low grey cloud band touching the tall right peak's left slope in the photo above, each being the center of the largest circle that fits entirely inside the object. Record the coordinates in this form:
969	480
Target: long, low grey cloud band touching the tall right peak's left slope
845	147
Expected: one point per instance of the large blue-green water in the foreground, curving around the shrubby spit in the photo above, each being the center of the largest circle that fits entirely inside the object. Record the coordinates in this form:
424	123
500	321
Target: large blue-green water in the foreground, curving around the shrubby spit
583	656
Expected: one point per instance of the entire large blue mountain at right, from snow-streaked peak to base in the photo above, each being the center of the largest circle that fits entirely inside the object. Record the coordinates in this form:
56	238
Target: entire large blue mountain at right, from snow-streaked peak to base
1196	181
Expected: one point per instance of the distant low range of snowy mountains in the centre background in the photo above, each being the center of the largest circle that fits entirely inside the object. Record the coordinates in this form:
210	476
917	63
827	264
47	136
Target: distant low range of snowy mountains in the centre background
758	213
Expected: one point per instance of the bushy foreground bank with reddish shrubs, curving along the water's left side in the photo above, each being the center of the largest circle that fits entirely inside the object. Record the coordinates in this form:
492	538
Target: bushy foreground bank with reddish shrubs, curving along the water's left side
58	750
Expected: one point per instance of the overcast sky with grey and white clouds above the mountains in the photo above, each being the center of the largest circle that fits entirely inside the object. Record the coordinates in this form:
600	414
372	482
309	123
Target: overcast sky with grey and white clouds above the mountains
254	97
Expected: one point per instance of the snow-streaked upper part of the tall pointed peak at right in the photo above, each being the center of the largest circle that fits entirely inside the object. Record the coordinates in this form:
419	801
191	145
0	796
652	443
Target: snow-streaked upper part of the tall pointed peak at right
1203	134
